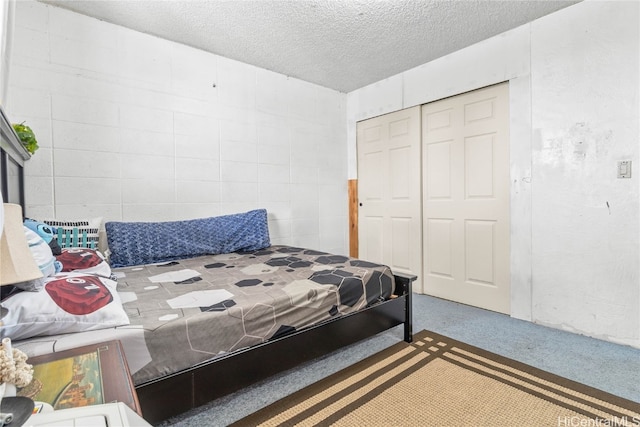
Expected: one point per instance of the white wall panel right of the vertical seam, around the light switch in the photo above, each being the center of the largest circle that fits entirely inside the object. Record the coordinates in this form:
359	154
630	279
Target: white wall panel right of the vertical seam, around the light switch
585	77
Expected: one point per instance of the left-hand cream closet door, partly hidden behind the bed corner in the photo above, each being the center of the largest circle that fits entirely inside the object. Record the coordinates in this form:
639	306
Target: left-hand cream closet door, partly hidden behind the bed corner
389	191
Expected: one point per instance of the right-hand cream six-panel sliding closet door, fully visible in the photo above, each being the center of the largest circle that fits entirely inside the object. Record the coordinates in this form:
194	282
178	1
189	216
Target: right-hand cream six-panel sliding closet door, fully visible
466	198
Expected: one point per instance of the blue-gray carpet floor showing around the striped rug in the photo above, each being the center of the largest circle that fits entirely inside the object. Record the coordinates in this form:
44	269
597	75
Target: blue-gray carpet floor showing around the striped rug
603	365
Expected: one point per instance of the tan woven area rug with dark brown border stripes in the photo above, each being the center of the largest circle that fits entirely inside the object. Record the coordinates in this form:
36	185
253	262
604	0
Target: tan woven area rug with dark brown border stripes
438	381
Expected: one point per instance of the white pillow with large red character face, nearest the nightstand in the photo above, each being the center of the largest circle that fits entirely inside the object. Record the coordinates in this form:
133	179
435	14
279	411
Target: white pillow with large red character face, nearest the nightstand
68	303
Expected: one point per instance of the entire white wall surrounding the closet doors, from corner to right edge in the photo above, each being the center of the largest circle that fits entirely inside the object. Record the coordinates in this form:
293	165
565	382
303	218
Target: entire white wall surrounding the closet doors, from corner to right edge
574	84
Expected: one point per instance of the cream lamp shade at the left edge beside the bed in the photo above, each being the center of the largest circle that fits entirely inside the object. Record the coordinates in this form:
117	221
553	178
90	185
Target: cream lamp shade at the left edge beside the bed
16	261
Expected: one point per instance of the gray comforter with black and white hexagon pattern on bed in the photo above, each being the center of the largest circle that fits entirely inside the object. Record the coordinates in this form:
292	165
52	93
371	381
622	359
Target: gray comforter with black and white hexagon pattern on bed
195	309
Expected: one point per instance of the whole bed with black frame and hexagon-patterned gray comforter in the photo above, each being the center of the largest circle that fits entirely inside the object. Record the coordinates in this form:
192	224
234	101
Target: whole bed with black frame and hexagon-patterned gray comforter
200	327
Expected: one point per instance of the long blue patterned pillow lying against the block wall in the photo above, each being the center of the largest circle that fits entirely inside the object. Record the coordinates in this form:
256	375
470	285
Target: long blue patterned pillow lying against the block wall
137	243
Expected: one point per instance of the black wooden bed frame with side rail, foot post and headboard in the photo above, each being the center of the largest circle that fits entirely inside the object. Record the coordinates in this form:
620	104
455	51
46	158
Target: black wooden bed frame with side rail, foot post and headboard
179	392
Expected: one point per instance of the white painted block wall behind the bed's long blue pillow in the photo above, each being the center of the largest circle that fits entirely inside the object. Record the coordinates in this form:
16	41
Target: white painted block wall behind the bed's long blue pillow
132	128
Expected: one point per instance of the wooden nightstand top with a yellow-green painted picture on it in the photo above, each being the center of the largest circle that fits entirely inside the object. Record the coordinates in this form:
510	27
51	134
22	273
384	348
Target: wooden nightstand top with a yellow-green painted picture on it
84	376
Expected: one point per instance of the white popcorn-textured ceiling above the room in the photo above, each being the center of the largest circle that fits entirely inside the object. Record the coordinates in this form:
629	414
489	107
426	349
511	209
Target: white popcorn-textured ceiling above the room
339	44
